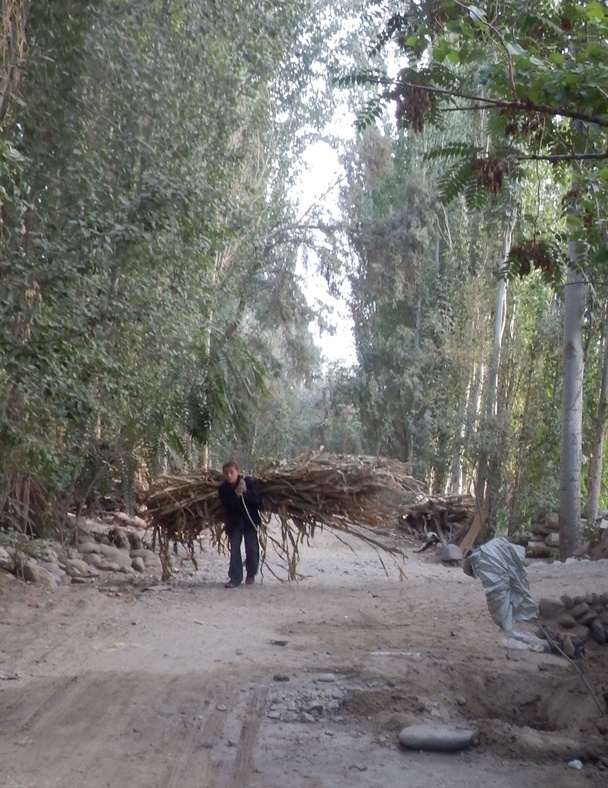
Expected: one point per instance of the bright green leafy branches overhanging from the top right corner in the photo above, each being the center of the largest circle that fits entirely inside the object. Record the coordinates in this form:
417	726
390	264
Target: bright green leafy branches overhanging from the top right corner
537	71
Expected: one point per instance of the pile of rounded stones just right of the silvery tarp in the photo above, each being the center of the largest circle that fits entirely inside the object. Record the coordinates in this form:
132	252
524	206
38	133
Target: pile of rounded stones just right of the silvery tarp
573	620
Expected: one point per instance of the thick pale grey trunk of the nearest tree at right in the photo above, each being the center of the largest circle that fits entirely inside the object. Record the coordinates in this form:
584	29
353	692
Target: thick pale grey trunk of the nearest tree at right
572	413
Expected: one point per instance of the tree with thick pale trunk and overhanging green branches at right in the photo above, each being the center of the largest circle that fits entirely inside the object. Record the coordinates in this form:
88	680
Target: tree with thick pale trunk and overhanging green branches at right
539	70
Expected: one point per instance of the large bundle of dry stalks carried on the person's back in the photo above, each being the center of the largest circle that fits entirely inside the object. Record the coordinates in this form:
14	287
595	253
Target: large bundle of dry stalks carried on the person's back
347	494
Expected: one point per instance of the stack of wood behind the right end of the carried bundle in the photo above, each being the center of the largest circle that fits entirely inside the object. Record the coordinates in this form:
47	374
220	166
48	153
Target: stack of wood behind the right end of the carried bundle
450	518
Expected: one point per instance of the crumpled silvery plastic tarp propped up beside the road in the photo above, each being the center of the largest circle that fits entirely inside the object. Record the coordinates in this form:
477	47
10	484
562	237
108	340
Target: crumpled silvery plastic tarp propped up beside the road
500	567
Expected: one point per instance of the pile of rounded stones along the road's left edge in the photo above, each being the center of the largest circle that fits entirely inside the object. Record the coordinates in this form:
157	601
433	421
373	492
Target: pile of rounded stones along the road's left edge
97	549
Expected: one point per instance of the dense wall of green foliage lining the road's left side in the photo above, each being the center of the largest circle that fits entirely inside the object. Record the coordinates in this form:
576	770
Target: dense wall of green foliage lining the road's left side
143	170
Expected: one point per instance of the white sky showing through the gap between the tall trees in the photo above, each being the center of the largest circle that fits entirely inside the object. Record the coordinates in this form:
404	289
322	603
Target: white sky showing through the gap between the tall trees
323	171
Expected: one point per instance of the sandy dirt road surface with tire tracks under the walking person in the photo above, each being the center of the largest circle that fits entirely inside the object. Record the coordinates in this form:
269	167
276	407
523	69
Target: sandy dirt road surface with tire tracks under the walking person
189	684
